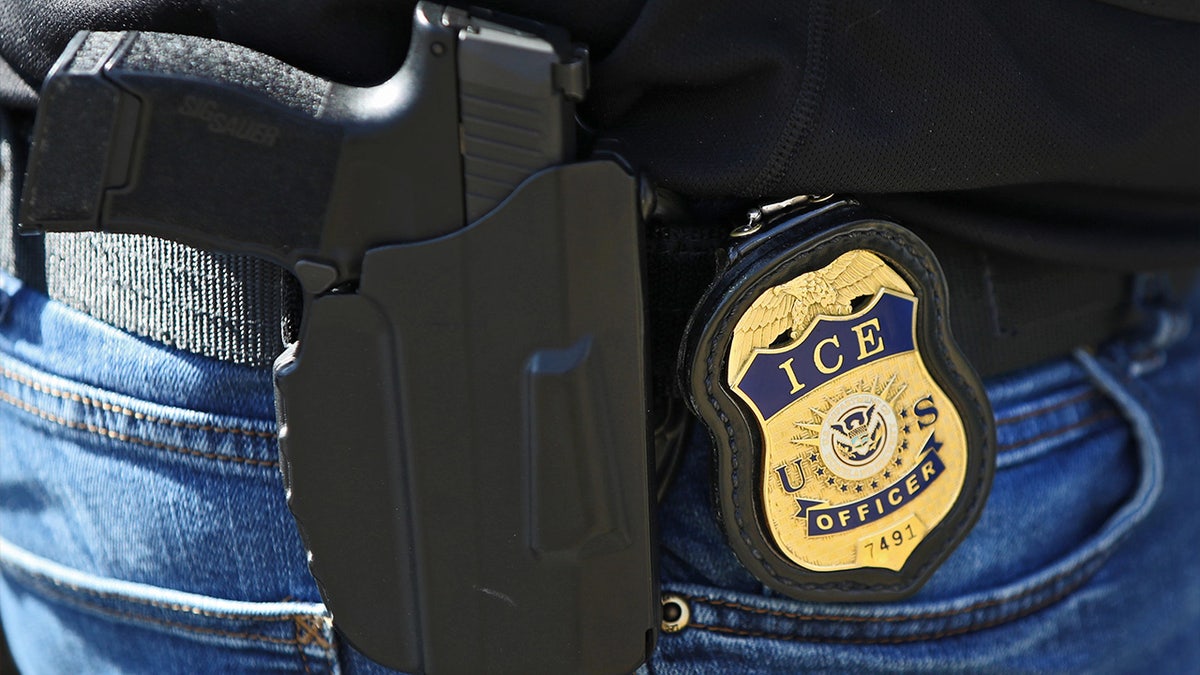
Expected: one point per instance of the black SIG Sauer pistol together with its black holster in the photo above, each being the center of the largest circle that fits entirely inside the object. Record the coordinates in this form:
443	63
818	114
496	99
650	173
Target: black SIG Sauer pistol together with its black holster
463	422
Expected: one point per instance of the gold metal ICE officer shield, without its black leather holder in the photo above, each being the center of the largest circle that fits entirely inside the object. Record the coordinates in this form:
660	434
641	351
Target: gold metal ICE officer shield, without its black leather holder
860	463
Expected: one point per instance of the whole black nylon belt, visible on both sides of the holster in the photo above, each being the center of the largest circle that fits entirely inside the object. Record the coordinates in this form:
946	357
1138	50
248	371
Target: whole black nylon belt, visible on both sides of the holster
1007	312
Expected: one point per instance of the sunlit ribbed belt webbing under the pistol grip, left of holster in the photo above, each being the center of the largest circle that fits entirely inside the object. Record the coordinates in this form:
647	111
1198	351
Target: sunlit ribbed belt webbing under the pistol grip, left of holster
231	308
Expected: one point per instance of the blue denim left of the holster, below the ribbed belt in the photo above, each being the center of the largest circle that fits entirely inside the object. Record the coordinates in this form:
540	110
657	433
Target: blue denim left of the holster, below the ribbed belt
143	518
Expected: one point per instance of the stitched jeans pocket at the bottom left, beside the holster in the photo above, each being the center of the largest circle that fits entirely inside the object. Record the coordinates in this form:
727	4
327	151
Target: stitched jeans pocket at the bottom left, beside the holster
65	616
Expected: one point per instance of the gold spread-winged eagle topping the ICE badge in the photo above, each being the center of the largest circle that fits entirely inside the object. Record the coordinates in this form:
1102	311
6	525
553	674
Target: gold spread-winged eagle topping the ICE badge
790	308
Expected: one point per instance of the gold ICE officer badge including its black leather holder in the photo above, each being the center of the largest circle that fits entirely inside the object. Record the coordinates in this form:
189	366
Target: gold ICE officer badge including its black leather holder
855	445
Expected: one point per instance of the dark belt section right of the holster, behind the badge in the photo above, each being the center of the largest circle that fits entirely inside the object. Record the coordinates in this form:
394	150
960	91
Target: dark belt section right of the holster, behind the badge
1007	312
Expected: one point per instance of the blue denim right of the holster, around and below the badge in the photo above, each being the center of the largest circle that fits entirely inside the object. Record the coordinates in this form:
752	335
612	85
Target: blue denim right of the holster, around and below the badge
1083	561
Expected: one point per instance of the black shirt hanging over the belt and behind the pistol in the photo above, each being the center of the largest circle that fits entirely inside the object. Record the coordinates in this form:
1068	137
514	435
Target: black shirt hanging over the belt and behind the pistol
1065	130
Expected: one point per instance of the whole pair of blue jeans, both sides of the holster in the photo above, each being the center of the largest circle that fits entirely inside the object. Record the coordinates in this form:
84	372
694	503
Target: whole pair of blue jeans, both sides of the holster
143	525
